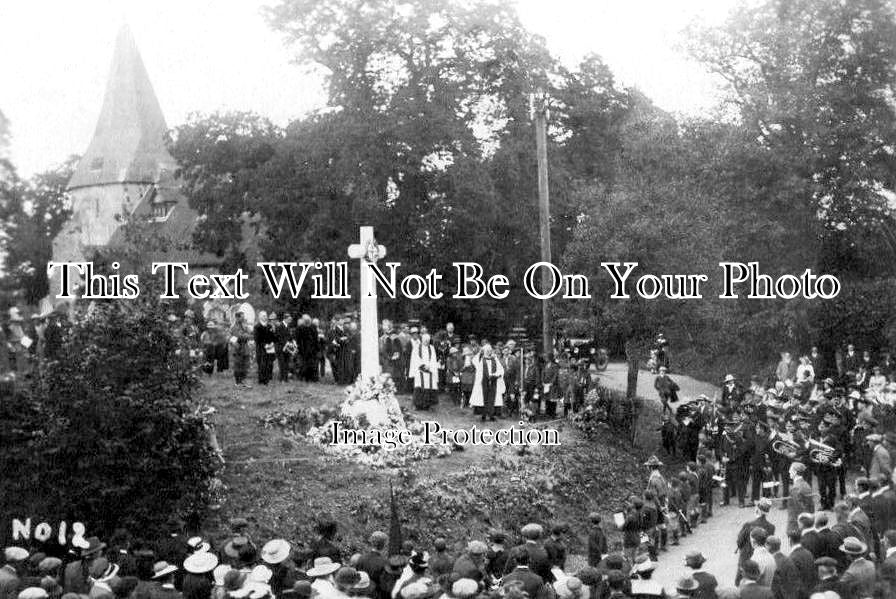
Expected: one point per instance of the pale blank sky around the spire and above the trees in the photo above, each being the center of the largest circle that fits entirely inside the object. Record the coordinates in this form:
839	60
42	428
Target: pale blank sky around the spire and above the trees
205	55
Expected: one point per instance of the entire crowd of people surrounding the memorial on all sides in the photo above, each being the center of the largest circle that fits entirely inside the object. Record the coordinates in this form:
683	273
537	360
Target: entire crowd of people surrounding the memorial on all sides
771	442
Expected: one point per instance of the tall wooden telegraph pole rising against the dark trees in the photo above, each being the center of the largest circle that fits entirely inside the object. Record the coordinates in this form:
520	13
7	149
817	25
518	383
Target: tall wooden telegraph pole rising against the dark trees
538	107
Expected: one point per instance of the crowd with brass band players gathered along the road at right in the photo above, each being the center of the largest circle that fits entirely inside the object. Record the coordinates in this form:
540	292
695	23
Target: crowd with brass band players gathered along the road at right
808	427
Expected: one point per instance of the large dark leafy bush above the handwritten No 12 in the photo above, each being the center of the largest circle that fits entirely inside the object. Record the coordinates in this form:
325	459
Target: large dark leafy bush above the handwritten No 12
109	434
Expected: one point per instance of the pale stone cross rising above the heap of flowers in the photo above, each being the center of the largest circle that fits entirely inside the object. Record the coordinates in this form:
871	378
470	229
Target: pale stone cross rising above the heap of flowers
368	252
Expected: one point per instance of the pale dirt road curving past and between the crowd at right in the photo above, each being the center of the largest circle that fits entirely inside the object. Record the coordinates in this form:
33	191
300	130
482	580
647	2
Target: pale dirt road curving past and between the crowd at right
715	539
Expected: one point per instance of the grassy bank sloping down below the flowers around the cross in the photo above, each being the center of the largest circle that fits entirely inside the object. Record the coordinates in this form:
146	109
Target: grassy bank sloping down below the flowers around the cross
283	484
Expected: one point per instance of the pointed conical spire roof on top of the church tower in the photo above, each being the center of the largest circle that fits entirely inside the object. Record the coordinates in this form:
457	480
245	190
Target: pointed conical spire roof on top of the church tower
128	145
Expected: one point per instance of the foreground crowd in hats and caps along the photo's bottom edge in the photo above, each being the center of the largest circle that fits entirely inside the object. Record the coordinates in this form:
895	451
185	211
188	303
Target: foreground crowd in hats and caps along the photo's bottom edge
532	563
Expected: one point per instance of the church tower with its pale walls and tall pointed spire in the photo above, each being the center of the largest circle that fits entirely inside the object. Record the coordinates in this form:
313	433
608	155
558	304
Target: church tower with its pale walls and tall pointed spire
126	169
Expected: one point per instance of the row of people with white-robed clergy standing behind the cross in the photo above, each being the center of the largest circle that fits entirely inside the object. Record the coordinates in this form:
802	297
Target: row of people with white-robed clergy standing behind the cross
494	377
